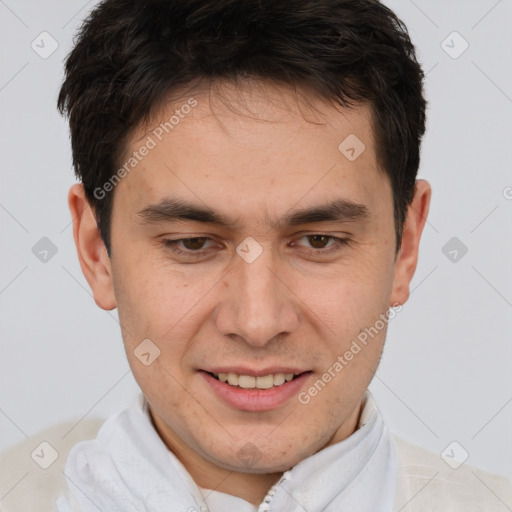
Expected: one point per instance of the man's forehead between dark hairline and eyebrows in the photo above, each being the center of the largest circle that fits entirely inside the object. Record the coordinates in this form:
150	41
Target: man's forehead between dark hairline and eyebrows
254	148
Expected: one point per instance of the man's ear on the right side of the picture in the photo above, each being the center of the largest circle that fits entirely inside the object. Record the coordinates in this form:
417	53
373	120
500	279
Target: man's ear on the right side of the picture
407	257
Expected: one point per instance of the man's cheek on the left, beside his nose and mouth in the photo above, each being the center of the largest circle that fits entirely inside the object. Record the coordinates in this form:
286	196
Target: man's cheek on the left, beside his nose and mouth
163	307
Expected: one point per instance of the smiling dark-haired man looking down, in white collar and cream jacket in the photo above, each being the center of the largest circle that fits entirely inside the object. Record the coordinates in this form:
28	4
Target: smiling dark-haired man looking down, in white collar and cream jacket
248	201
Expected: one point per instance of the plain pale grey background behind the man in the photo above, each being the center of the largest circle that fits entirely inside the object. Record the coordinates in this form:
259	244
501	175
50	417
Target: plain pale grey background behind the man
446	371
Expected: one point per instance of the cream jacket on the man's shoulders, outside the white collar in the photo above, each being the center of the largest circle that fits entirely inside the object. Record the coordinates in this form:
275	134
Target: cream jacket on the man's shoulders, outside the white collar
425	482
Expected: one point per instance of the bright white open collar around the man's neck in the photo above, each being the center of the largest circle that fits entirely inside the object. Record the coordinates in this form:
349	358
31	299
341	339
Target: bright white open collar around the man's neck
128	468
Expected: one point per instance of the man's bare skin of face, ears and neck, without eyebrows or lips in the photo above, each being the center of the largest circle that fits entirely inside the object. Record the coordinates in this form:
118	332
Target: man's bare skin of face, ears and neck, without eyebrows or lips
254	153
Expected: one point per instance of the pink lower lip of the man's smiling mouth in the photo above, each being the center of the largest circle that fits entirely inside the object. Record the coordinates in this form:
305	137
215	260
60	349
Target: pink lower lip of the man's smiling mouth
256	400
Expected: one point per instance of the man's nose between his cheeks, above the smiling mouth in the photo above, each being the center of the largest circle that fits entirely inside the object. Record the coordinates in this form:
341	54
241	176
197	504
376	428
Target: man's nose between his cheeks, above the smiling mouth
257	305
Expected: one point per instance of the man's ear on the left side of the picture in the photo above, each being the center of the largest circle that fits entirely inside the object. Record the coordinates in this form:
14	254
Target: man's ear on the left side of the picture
91	250
